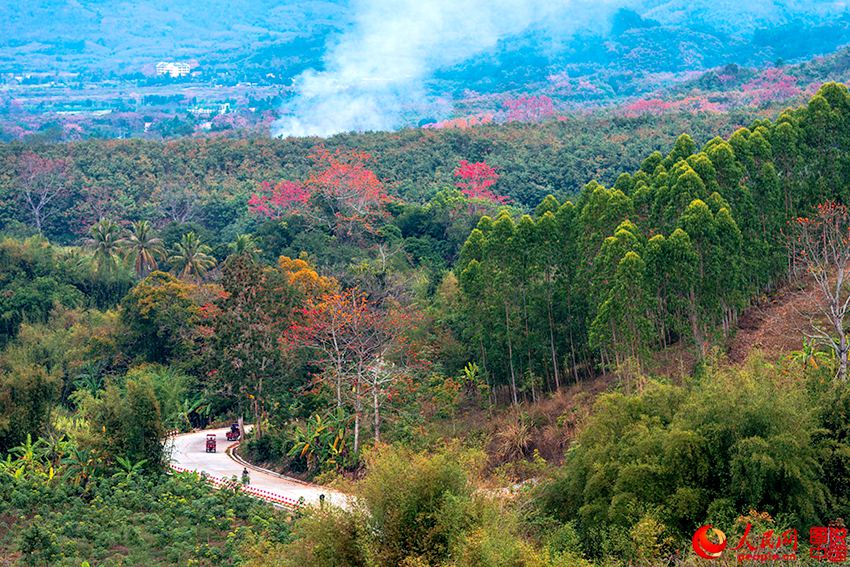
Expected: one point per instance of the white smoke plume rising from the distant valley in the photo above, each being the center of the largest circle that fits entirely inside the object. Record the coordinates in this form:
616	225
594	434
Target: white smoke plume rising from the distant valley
379	66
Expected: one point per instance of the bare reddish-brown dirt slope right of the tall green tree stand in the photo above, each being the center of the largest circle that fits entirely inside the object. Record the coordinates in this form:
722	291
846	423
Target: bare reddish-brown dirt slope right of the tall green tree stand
777	324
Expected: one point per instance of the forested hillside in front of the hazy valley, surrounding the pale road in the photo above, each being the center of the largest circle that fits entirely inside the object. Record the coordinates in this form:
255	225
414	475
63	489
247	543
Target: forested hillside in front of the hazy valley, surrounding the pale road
424	340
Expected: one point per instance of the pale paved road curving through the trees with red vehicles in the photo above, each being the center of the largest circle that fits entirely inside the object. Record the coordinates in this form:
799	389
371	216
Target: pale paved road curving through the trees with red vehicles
189	453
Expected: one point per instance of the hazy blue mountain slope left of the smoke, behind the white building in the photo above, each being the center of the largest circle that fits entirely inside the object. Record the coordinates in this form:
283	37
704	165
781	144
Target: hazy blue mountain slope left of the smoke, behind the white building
120	36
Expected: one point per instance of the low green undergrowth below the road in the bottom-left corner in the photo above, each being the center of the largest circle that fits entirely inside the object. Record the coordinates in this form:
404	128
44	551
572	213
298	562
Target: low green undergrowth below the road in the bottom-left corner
128	519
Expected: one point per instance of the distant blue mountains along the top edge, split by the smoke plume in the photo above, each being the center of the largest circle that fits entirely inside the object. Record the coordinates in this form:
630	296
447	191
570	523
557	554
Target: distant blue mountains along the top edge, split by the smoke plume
120	35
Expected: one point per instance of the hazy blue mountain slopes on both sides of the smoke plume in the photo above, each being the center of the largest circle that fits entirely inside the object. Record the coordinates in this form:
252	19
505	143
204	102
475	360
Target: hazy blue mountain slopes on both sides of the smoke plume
118	35
